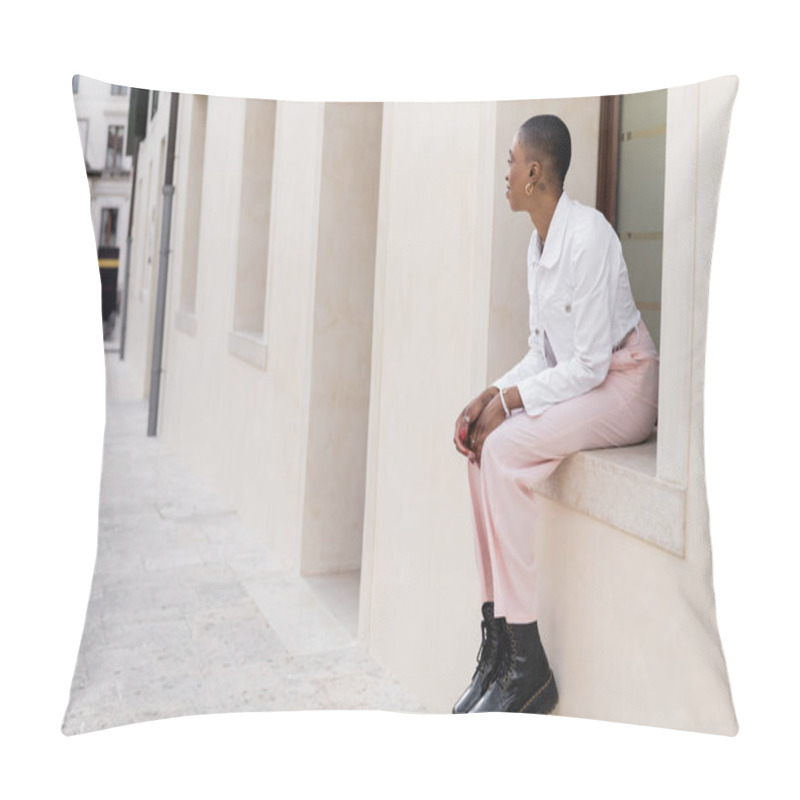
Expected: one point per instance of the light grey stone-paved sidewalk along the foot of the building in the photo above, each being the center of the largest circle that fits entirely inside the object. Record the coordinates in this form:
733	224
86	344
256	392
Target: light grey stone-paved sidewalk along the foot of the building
189	614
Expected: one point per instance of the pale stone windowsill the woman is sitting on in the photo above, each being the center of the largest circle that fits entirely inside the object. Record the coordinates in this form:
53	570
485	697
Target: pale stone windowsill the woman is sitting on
619	486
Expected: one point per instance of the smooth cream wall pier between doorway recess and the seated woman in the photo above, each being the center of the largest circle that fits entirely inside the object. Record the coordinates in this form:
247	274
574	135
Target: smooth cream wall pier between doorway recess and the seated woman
419	583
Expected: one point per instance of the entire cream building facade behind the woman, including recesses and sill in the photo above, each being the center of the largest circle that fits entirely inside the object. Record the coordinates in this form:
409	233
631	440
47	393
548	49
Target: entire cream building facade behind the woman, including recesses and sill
343	278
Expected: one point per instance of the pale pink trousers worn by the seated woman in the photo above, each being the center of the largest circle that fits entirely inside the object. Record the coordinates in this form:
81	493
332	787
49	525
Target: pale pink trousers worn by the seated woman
524	450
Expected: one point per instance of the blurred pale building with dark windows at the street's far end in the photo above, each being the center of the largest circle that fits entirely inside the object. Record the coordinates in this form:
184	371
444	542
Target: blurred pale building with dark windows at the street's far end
102	113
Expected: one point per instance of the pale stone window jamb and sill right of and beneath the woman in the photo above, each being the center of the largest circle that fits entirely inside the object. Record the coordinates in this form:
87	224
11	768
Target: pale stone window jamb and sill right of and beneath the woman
643	489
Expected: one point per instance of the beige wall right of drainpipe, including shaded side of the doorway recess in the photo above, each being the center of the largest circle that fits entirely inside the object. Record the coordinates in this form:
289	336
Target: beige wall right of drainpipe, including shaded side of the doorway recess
277	421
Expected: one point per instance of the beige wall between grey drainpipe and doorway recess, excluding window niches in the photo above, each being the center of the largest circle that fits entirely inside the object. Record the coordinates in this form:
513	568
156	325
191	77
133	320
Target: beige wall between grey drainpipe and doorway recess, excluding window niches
242	426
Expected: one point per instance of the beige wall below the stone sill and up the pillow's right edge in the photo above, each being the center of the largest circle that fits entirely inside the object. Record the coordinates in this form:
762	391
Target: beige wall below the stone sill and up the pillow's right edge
641	644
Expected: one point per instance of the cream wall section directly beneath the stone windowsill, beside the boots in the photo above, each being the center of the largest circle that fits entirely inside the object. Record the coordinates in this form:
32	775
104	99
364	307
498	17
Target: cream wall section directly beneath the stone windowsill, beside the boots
622	632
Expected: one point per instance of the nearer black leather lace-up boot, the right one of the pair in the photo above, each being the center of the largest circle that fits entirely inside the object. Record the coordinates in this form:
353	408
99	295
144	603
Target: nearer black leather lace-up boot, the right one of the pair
524	681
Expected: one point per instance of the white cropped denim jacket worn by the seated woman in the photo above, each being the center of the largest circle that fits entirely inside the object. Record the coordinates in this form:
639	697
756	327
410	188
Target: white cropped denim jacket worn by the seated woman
580	296
